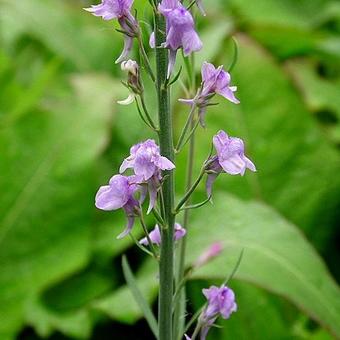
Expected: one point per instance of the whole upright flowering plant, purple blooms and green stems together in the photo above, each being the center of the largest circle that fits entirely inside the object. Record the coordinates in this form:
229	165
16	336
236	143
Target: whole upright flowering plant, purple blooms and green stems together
147	174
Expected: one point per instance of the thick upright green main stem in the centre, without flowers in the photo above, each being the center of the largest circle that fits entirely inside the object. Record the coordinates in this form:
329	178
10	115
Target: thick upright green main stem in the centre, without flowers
166	266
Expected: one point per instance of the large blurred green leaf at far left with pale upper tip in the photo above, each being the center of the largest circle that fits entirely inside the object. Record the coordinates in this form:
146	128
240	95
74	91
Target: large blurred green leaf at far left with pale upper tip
45	217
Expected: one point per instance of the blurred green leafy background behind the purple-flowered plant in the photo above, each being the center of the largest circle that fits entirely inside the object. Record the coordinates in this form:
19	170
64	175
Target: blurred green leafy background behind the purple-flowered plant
62	136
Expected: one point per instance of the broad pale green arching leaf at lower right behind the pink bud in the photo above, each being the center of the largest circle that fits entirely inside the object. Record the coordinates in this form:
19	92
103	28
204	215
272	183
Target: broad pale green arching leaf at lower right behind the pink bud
276	256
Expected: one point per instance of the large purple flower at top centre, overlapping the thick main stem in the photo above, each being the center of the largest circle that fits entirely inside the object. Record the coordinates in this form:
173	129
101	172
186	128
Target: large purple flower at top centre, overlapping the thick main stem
180	28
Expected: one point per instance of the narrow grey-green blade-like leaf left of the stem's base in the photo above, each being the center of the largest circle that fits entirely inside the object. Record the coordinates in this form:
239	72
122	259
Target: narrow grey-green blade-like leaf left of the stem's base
139	298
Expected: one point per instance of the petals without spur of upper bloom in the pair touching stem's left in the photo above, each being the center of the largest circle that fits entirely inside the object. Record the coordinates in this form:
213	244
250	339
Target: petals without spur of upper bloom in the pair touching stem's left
146	161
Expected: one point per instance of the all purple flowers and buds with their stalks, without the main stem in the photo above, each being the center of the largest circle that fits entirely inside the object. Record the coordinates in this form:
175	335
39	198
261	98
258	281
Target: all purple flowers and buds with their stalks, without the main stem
141	174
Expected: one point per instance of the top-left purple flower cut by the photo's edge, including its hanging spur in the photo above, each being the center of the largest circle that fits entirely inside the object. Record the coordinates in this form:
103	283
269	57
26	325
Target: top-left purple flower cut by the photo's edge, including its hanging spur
119	9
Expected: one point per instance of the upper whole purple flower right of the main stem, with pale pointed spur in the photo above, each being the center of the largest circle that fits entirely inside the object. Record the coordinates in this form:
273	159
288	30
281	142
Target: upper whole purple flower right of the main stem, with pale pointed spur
214	80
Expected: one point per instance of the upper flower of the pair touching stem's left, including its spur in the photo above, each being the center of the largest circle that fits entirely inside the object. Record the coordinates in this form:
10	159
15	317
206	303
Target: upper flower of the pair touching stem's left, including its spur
146	161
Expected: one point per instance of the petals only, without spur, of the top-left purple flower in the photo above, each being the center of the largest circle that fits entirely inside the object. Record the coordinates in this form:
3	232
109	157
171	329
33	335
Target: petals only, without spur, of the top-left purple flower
111	9
